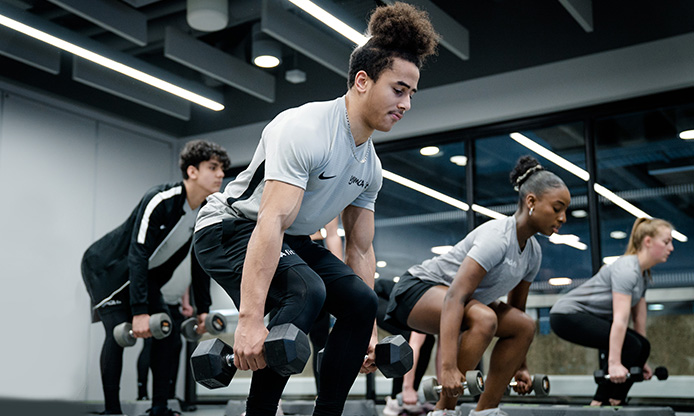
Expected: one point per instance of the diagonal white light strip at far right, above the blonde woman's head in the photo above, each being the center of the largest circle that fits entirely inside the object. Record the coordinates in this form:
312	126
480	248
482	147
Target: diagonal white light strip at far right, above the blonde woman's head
581	173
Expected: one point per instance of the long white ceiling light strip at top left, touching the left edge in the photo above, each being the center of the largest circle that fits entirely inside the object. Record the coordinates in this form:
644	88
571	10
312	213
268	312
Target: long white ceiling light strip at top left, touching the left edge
111	64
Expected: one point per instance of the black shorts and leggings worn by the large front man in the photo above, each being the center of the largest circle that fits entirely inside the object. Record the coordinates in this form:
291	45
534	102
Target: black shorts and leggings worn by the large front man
307	278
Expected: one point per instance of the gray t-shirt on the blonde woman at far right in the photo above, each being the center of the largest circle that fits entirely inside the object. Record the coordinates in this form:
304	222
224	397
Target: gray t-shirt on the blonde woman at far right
595	296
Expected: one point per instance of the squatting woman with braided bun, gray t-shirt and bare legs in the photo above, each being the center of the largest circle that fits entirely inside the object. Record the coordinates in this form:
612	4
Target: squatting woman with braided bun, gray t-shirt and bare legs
455	295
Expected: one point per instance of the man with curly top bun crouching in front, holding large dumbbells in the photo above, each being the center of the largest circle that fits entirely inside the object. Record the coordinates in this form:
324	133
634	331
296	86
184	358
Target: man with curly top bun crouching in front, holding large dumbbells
314	162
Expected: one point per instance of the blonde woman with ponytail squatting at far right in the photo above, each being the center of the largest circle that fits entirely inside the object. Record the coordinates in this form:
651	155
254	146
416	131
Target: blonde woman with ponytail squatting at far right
596	314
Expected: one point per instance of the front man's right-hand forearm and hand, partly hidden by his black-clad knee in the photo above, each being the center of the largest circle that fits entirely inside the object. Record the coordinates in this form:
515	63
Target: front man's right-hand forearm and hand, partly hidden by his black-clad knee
359	255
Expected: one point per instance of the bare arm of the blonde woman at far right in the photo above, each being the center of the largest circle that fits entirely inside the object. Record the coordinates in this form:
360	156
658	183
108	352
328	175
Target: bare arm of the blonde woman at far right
621	307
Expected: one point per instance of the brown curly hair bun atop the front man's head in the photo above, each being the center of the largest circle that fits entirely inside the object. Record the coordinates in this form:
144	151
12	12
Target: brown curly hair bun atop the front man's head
405	28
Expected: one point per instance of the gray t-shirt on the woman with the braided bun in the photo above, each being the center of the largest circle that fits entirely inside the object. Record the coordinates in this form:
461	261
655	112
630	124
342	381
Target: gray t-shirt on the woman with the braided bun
494	246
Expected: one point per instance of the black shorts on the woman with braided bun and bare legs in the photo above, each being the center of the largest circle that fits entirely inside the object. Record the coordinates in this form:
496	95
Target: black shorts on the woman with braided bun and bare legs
405	295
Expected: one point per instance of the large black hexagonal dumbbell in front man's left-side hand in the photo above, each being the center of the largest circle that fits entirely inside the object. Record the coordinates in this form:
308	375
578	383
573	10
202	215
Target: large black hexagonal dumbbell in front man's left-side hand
286	352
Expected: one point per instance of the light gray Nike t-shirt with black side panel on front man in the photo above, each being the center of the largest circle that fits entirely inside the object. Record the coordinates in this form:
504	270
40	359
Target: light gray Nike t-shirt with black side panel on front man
310	147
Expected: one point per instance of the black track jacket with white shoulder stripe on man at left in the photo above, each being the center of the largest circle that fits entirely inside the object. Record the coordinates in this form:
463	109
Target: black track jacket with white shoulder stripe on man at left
121	257
